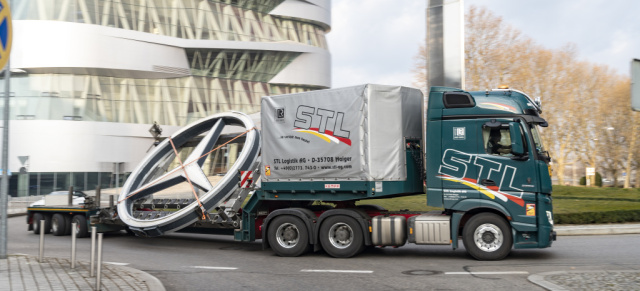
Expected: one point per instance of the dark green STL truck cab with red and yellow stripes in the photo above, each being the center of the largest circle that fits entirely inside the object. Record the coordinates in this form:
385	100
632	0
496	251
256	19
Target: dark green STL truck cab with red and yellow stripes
489	159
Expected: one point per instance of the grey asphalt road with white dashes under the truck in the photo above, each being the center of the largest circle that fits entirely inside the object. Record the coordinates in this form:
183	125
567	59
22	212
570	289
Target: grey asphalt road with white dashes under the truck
206	262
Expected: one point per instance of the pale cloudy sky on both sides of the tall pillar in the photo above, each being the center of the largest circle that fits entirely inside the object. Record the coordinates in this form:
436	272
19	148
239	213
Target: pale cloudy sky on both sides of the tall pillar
375	41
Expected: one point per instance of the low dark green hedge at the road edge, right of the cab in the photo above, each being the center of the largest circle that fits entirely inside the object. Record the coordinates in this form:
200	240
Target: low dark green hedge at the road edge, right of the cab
616	216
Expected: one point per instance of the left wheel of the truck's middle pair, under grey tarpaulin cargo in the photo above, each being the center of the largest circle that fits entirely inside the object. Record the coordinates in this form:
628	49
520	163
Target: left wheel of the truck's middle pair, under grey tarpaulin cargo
288	236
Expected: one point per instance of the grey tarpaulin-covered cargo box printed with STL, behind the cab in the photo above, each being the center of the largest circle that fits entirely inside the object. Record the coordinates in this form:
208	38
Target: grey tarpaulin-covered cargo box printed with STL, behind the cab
345	134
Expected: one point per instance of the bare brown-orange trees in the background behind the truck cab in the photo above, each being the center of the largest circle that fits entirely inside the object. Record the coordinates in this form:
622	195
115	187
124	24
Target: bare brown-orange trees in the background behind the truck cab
587	104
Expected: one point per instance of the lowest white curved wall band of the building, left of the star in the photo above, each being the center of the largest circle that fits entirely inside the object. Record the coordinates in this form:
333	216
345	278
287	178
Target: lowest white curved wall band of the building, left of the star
79	146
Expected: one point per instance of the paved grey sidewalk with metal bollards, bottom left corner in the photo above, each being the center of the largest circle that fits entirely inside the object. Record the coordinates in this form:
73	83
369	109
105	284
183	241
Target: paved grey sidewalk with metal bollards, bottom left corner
22	272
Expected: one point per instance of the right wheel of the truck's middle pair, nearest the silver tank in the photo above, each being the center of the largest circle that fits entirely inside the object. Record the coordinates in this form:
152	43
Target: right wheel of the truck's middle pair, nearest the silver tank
341	237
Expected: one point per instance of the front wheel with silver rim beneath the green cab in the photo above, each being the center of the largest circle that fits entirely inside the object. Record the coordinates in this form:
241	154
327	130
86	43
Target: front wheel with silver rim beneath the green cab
487	237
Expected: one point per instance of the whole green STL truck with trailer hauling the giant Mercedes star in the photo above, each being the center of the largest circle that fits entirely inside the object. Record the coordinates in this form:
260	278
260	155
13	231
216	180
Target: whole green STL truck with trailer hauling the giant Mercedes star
299	182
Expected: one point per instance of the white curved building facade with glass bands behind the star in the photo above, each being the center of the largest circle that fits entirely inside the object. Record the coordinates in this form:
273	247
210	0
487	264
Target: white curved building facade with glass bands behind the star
89	77
